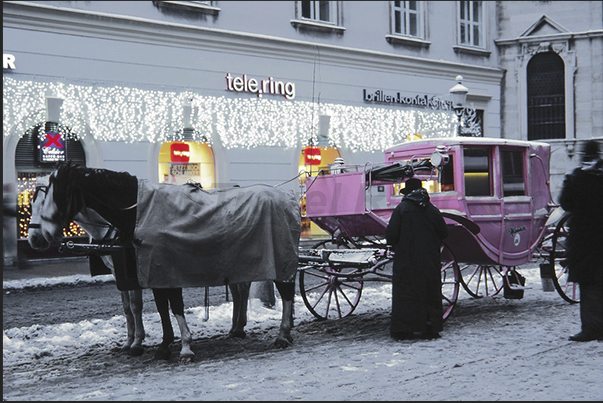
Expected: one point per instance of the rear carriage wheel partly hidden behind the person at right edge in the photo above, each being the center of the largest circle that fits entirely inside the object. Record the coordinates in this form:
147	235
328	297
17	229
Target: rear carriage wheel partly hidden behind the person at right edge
568	290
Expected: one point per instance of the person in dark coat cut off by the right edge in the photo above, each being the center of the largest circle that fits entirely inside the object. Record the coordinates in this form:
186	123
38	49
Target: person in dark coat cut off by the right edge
582	196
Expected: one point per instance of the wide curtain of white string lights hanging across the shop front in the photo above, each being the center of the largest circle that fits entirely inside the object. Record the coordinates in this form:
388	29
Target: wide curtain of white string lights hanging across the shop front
127	114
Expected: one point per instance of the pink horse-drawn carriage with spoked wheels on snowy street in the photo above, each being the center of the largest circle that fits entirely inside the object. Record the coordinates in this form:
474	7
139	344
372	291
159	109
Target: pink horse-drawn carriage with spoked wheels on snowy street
493	193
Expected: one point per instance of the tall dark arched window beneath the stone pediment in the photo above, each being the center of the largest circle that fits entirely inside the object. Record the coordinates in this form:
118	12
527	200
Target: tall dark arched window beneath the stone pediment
546	97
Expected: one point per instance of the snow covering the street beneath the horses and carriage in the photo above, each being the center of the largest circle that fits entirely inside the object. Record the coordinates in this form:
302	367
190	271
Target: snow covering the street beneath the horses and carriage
491	349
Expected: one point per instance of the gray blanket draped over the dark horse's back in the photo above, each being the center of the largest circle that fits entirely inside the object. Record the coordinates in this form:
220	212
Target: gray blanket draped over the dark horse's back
186	236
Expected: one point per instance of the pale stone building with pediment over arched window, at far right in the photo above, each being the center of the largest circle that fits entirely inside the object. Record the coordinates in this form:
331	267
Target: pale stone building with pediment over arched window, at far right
552	91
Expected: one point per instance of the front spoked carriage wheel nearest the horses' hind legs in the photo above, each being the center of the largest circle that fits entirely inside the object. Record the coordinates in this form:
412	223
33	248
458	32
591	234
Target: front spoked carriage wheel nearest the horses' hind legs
330	292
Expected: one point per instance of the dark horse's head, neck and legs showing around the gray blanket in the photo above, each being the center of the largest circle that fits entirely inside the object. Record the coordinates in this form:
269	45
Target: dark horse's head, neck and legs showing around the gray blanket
114	196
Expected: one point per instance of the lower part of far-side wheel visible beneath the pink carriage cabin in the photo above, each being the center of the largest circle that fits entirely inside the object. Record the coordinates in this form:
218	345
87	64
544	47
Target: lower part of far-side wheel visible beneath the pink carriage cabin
481	280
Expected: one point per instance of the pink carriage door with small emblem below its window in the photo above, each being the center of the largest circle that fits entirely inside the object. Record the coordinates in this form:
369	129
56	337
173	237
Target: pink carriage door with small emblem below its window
517	204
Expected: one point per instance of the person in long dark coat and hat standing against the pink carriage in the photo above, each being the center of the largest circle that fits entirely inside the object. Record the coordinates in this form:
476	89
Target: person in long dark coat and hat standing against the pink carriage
416	230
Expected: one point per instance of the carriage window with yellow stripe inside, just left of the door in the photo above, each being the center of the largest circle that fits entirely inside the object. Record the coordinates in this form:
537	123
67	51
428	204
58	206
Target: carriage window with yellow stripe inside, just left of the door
477	171
